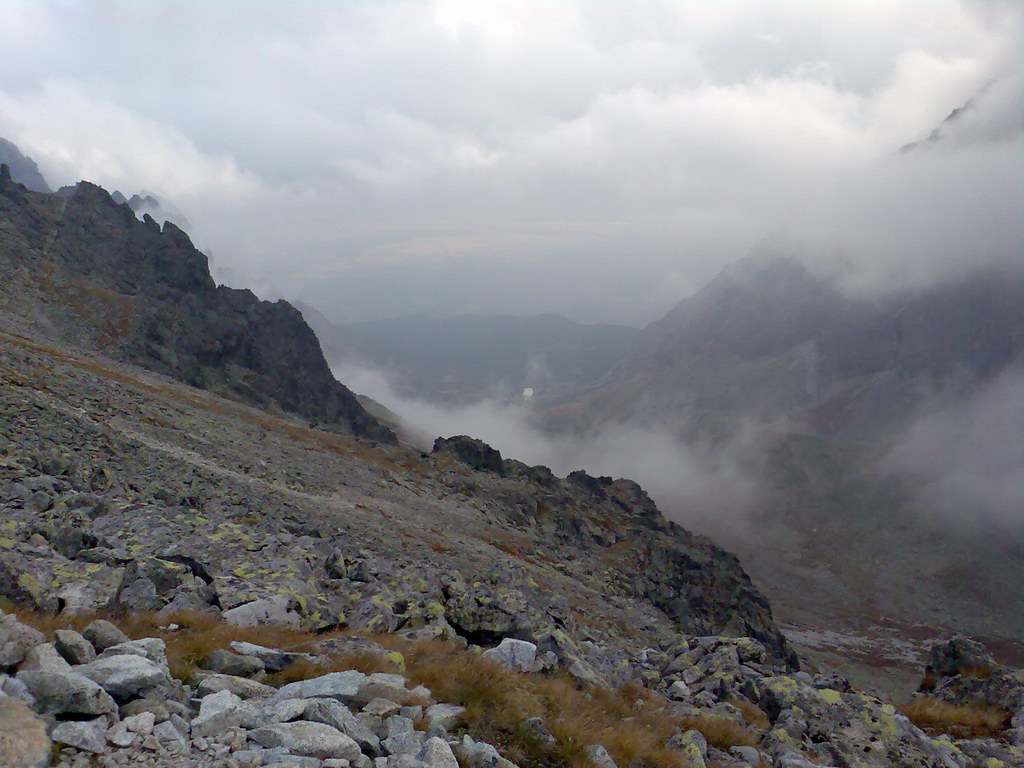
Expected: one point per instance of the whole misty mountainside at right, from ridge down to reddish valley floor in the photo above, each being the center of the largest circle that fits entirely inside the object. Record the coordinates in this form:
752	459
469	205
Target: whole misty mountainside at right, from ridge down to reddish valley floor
826	390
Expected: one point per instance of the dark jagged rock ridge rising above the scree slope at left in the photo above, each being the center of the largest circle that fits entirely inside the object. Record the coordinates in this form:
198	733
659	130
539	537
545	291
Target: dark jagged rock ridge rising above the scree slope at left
146	295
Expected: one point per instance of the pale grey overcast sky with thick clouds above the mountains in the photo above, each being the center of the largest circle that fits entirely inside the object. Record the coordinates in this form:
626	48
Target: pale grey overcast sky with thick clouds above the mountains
602	160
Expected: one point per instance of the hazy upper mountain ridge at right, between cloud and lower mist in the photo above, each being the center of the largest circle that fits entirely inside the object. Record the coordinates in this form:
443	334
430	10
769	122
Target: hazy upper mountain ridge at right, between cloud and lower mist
769	340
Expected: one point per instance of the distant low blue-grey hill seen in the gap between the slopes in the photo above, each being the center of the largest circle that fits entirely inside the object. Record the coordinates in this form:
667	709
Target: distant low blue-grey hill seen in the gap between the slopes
464	359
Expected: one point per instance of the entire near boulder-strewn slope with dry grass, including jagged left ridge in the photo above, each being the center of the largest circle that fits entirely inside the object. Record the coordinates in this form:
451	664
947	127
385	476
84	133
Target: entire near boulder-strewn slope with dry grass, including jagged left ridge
211	556
